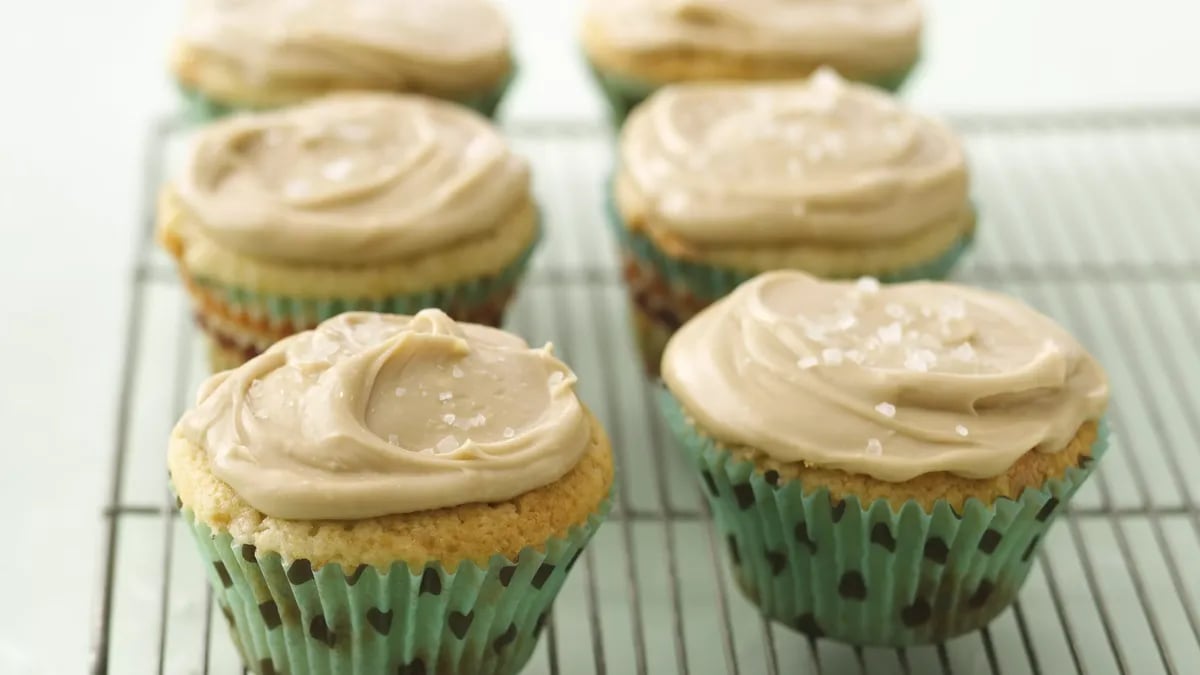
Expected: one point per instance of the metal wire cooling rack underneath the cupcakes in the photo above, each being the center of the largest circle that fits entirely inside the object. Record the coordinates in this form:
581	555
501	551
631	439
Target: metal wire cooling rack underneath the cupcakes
1095	219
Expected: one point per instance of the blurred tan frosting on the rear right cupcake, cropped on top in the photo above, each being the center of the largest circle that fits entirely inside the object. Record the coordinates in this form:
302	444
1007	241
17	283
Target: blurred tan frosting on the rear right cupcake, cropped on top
874	31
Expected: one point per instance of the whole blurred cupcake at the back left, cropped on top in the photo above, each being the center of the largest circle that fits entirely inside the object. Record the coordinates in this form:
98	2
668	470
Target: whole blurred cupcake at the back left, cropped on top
233	56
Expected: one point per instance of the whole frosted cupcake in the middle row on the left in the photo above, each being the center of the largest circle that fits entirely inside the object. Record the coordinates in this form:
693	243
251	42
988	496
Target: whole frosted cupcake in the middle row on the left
375	202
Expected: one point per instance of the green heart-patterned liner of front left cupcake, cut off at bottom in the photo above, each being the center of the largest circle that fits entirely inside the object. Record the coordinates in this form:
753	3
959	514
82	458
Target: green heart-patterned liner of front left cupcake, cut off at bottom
285	617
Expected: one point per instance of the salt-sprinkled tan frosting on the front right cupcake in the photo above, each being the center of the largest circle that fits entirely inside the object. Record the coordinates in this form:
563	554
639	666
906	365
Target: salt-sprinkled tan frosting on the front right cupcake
890	381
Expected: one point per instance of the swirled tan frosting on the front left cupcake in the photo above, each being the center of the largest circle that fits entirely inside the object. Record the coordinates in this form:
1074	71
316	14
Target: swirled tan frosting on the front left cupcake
374	415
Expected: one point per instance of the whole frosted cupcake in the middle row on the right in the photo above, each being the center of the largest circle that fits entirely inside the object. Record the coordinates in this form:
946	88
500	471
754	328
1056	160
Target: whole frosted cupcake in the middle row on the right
721	182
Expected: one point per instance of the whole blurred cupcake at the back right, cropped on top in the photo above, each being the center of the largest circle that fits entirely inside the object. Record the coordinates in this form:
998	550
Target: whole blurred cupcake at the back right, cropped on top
638	46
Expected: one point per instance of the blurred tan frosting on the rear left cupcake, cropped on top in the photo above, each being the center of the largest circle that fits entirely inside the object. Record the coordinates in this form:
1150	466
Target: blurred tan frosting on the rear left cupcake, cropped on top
424	45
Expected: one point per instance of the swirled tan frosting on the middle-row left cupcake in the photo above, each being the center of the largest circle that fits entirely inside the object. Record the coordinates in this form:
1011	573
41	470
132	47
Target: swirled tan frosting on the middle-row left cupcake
351	178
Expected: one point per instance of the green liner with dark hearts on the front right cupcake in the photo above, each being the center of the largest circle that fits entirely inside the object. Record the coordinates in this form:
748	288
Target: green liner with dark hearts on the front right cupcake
867	574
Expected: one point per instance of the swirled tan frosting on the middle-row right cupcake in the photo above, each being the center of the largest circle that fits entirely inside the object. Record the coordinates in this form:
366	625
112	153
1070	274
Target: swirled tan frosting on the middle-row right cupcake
823	160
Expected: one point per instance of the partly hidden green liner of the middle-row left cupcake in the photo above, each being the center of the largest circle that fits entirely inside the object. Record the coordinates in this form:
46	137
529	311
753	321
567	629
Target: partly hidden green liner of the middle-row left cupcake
287	312
